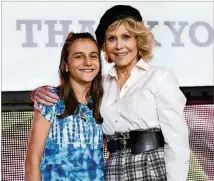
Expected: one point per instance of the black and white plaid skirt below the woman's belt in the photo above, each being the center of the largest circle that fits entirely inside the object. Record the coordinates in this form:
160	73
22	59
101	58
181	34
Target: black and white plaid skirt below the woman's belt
125	166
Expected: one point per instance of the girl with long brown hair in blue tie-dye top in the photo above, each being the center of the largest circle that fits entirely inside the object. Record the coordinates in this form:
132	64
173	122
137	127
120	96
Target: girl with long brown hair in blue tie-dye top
66	139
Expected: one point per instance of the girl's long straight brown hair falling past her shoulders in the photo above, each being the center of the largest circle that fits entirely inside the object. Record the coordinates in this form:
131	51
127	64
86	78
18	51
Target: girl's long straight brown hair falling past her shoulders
66	92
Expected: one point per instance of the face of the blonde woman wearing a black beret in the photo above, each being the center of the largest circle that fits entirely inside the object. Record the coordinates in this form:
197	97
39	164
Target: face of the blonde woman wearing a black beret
121	46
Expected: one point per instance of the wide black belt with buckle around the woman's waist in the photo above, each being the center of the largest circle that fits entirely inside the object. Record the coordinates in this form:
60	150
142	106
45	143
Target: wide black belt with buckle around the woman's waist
139	142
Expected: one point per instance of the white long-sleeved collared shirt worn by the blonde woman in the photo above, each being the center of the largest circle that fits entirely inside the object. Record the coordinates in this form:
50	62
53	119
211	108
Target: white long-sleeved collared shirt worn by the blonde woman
150	98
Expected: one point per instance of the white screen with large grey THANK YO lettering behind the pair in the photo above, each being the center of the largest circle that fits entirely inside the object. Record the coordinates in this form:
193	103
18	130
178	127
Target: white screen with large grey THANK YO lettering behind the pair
33	34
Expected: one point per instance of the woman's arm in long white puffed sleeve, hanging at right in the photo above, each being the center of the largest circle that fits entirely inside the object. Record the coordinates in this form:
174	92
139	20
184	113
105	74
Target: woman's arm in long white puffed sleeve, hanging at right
170	105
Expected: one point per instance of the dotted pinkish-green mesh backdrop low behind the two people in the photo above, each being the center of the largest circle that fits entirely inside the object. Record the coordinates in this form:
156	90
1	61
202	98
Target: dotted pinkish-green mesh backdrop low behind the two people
15	132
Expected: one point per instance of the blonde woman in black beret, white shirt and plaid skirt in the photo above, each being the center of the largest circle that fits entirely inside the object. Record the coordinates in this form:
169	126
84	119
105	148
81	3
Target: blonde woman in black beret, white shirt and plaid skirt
142	106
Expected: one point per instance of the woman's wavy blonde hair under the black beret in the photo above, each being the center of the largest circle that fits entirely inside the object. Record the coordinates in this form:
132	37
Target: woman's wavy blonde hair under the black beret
144	38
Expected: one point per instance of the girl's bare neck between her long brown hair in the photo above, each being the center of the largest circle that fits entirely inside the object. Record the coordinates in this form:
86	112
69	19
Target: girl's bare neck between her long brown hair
81	91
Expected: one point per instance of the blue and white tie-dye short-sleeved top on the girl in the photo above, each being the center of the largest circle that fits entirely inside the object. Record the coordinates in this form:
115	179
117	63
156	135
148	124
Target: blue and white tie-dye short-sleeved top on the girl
74	146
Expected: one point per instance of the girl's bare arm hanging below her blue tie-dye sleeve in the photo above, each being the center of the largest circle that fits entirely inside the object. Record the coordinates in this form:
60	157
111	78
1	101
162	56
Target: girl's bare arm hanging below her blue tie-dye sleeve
38	135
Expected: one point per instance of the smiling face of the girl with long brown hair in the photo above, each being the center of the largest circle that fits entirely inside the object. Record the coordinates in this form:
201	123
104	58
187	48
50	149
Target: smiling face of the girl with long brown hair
83	61
